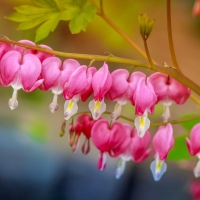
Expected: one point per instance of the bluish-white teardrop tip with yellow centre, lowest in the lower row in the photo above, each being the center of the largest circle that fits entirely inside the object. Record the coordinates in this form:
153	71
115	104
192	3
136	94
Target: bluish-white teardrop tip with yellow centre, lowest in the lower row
158	168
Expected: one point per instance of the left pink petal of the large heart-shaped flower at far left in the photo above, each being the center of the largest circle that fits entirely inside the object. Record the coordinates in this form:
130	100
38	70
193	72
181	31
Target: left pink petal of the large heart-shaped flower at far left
10	64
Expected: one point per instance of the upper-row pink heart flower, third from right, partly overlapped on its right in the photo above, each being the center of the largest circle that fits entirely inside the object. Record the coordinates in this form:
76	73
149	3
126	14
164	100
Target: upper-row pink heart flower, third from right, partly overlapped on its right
122	89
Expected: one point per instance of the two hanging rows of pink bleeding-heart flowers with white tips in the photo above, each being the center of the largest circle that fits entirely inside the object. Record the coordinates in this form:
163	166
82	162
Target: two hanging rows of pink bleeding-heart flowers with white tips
29	69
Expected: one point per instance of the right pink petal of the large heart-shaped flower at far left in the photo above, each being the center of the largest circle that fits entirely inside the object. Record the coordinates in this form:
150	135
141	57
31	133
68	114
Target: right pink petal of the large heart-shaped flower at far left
30	71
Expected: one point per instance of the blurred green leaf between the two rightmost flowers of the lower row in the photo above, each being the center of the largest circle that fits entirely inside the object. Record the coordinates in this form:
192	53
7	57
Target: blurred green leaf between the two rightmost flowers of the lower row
179	151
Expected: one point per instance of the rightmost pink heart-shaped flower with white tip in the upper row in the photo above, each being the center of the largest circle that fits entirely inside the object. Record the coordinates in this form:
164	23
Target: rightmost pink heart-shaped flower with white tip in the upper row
168	90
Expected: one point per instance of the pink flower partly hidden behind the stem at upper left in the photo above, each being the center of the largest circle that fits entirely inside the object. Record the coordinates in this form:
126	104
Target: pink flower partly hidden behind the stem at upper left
41	55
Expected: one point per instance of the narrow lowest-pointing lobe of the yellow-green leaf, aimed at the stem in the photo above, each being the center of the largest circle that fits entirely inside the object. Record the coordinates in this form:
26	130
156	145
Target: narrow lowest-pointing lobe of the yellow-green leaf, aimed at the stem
48	26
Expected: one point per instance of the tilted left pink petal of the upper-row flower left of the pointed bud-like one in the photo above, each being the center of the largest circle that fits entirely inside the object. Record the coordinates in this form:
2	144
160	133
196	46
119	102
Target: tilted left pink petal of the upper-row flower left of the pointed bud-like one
76	84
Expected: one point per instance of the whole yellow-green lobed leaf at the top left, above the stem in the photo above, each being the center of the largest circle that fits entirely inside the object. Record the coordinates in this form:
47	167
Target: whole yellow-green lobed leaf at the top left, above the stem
47	13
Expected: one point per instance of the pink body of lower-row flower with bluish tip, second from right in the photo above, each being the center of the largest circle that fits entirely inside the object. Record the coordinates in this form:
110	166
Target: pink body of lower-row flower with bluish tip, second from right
163	141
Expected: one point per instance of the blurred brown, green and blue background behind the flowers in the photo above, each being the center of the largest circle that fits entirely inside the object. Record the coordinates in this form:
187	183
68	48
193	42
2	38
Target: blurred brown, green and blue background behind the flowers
36	163
